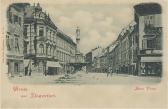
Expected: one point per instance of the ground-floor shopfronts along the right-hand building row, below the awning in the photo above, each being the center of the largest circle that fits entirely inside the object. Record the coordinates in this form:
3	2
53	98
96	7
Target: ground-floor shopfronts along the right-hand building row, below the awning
141	68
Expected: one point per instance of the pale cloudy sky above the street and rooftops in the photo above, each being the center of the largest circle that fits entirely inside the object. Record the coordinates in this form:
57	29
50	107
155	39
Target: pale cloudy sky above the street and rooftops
99	24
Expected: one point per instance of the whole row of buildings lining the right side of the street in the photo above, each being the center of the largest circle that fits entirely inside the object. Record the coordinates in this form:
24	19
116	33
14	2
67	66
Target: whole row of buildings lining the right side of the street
138	48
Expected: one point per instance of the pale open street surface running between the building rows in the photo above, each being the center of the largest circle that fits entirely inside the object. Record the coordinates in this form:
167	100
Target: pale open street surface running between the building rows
82	77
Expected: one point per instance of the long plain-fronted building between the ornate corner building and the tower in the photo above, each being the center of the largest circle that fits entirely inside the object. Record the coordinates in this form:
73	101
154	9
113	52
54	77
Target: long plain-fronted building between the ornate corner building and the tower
66	51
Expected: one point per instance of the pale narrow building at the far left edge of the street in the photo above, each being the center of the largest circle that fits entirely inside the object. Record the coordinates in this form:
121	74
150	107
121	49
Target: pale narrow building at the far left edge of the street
14	40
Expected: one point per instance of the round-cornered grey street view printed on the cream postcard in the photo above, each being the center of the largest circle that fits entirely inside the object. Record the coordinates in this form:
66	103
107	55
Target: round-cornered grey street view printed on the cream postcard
84	44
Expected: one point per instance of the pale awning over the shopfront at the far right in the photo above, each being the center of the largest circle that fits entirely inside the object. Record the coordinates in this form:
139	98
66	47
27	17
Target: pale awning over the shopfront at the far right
151	59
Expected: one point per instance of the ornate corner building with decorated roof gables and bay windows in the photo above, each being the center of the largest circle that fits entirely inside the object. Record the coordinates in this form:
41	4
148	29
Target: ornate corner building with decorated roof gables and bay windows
39	40
